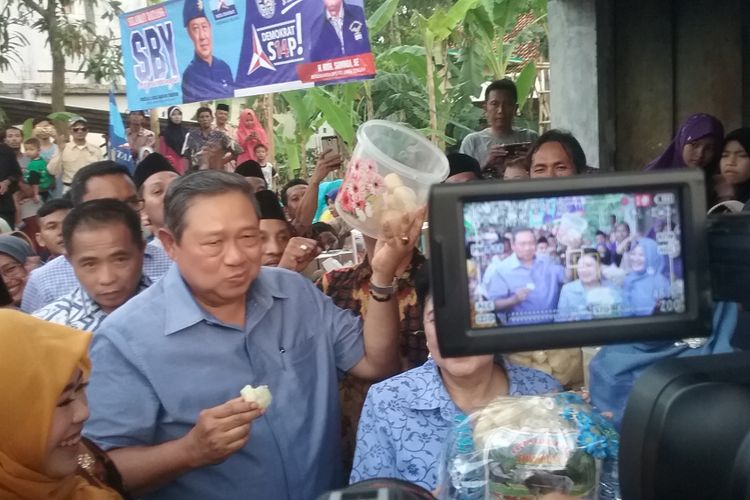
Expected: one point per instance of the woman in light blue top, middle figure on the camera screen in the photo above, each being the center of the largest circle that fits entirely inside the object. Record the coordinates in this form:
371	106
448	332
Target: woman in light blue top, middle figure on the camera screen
589	296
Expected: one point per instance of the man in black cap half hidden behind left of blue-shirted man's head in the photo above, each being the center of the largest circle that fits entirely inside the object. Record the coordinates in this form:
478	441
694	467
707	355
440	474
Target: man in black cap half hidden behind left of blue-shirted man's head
152	177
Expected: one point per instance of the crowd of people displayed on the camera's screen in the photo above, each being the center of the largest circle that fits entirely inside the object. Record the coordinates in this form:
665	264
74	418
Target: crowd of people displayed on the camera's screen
534	278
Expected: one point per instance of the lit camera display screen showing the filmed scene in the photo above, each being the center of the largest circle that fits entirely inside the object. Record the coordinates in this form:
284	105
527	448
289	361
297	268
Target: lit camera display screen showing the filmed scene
574	258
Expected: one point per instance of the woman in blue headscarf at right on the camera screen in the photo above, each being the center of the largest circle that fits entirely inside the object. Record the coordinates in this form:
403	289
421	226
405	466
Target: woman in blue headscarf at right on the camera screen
645	285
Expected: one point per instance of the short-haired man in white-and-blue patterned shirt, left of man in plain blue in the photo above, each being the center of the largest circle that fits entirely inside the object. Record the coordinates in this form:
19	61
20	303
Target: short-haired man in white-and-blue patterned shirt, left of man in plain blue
104	244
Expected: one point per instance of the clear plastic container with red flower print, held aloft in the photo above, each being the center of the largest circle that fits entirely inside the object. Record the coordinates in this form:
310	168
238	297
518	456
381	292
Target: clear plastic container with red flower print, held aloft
390	173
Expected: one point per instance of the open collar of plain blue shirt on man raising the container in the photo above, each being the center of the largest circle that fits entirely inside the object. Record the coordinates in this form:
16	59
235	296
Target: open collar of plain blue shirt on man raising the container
184	311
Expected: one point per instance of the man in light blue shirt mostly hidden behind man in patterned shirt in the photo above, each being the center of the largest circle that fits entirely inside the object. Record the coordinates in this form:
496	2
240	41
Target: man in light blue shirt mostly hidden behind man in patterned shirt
104	179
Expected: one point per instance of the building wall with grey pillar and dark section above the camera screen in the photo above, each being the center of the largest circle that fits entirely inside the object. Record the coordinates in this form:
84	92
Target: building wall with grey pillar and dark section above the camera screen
624	75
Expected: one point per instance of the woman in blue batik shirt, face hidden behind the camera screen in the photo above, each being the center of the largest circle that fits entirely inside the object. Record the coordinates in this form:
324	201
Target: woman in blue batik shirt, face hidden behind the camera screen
406	419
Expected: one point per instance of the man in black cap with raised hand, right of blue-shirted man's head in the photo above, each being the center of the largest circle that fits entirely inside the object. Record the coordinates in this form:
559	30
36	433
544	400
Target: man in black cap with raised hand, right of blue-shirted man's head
280	247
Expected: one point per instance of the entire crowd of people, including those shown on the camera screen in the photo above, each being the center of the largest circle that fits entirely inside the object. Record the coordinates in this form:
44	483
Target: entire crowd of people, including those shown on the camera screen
191	273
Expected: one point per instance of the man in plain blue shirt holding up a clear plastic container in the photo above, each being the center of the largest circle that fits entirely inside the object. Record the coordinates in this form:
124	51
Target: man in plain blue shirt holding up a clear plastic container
169	364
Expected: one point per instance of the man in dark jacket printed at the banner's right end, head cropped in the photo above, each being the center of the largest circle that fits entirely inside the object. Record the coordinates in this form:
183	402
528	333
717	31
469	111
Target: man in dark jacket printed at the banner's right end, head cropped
339	31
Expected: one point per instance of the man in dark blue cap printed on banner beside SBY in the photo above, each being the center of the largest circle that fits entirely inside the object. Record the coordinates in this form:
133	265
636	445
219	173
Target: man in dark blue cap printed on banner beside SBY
206	77
